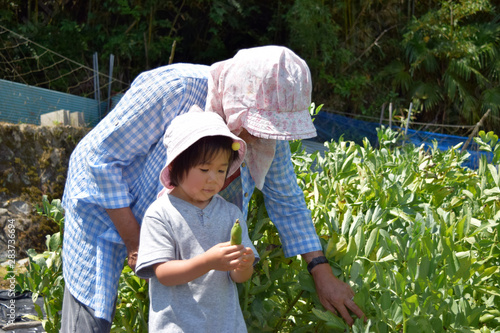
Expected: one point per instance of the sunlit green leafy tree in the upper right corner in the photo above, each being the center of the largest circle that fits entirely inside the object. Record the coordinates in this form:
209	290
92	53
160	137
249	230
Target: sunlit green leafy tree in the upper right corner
452	62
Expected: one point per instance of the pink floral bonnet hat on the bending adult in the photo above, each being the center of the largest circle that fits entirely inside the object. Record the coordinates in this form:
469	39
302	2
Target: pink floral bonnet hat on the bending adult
266	90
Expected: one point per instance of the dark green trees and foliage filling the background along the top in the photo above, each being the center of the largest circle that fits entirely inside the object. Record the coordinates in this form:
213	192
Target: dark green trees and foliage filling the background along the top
440	55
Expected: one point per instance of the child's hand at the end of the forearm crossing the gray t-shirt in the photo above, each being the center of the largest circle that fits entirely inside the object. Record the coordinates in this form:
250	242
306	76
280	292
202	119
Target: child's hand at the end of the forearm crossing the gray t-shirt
225	257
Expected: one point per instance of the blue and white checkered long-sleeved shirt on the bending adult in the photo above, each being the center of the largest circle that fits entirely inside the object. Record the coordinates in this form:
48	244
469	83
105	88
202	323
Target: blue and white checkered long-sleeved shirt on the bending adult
118	165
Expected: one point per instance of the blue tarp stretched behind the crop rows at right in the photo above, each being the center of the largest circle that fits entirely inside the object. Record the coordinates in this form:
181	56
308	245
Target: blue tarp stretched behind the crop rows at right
331	126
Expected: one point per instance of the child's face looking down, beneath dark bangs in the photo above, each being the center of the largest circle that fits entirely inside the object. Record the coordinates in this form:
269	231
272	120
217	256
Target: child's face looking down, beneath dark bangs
203	181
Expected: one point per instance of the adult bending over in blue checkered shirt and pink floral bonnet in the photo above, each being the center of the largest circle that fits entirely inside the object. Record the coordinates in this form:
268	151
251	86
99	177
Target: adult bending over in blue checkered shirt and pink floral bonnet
263	94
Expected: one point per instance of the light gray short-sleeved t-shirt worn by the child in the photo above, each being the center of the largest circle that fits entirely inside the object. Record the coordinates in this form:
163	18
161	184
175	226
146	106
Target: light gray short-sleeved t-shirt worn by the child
173	229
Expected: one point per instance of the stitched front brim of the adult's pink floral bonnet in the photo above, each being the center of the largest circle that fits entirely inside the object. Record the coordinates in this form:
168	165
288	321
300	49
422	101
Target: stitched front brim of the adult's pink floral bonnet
280	125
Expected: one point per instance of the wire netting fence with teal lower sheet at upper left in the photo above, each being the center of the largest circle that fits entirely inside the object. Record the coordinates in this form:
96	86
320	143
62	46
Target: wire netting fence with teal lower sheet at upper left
28	63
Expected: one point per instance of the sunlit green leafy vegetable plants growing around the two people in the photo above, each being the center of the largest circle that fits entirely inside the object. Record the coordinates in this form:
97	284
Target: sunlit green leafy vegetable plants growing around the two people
413	232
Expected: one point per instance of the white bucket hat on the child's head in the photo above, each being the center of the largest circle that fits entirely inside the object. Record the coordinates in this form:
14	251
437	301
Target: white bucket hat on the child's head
188	128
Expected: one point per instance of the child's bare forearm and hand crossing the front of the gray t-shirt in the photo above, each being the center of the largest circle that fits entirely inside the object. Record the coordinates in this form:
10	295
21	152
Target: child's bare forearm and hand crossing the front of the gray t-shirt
221	257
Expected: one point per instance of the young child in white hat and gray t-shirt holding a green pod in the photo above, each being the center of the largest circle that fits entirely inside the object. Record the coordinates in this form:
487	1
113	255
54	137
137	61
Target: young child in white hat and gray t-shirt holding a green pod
185	247
